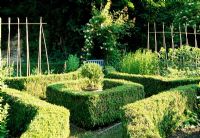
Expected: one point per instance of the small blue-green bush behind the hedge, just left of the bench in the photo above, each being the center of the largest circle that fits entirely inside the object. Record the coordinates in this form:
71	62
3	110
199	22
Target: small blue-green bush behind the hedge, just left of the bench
72	63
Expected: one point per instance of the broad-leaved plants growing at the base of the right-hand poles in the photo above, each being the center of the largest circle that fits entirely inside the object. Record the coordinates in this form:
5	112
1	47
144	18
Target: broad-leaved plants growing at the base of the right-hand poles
180	62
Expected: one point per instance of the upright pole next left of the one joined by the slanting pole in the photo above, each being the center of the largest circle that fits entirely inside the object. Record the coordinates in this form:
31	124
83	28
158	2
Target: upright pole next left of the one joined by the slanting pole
27	52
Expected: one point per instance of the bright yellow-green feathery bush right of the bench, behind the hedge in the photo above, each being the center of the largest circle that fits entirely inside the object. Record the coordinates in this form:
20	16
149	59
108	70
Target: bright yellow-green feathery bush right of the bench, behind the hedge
140	62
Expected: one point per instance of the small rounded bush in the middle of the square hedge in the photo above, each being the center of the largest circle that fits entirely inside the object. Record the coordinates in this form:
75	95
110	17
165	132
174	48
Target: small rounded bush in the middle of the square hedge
94	75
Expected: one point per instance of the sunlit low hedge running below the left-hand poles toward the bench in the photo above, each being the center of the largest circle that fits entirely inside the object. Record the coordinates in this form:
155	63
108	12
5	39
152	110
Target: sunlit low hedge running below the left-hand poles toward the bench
36	85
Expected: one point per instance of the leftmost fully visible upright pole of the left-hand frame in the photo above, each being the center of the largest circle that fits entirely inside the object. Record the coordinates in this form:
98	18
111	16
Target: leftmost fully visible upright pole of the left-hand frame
8	52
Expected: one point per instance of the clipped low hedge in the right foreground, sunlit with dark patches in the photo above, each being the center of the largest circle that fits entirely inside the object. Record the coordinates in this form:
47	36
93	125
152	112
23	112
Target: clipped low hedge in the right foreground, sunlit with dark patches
159	115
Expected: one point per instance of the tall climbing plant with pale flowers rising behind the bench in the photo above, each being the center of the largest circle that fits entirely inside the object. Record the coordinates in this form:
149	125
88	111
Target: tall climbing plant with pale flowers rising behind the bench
104	30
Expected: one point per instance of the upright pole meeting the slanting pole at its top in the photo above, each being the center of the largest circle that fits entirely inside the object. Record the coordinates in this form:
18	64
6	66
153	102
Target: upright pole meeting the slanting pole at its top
40	49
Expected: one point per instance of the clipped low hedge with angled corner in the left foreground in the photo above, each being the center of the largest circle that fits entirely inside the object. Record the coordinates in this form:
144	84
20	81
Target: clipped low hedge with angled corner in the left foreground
30	117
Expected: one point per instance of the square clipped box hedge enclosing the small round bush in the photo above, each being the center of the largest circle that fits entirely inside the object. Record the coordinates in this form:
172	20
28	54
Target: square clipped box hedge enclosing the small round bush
92	109
